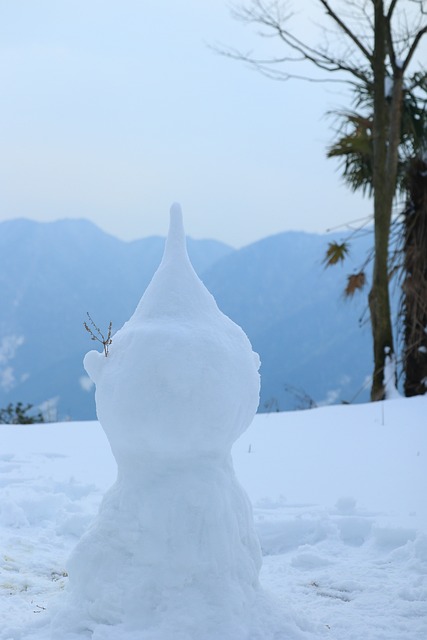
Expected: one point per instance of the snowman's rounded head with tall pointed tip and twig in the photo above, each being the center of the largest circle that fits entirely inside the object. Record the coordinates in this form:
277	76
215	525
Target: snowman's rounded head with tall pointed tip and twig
180	377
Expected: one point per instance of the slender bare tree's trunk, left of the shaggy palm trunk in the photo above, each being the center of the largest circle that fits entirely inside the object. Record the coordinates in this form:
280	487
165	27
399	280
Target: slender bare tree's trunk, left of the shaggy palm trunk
379	300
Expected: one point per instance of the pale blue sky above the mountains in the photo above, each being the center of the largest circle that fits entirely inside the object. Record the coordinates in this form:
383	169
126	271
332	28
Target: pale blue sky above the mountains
111	111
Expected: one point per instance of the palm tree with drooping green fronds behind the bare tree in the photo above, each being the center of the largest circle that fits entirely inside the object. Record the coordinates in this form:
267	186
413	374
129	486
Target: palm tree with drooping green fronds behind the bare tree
407	259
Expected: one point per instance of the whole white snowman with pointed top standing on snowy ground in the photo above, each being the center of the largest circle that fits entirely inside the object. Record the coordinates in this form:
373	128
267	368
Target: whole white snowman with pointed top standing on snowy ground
173	548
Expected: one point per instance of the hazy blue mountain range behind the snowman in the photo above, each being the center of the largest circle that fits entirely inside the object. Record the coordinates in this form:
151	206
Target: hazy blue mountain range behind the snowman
292	309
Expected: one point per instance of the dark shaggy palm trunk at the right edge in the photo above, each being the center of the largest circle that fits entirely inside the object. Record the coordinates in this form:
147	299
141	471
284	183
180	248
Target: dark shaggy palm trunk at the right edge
415	282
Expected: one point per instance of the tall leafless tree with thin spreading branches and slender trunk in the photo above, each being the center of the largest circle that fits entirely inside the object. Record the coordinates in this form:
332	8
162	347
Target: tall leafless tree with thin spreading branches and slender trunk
374	45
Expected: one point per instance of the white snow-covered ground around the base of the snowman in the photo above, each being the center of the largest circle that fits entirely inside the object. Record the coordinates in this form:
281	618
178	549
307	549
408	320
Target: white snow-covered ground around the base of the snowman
340	506
